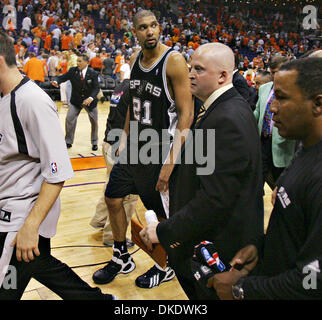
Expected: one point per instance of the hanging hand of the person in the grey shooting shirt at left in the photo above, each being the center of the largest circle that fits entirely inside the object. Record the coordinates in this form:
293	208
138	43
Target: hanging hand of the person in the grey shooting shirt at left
26	242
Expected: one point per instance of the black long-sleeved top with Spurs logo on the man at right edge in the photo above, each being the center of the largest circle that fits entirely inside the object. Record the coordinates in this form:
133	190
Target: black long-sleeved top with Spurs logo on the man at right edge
293	243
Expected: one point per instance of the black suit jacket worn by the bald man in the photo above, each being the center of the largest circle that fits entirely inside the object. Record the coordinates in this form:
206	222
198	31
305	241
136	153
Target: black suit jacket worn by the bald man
222	207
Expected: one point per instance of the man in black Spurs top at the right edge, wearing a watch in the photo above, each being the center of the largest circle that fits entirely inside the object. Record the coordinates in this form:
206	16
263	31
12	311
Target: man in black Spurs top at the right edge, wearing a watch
288	258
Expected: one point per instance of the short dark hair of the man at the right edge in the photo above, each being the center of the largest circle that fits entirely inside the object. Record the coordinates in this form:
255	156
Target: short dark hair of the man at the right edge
309	77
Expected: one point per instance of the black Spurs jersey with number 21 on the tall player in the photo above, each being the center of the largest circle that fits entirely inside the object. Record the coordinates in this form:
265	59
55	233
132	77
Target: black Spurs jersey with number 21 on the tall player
151	104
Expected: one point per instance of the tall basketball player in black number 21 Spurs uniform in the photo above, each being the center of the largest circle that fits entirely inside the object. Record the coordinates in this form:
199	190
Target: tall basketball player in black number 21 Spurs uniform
160	100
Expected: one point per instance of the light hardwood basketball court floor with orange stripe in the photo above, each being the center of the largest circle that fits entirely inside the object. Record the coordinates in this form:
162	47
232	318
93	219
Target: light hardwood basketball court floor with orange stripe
78	244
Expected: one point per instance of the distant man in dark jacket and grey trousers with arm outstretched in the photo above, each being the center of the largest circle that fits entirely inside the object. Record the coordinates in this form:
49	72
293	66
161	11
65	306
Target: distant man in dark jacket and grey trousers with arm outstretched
85	87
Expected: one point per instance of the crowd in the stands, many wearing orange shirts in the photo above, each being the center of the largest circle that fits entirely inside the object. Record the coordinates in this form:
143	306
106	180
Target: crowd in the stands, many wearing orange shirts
55	31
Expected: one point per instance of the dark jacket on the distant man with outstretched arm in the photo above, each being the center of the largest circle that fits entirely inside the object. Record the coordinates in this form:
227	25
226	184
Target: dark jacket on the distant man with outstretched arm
81	91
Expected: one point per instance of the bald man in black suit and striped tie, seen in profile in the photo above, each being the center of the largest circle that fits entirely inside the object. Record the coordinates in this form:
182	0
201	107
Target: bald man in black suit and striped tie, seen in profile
220	205
